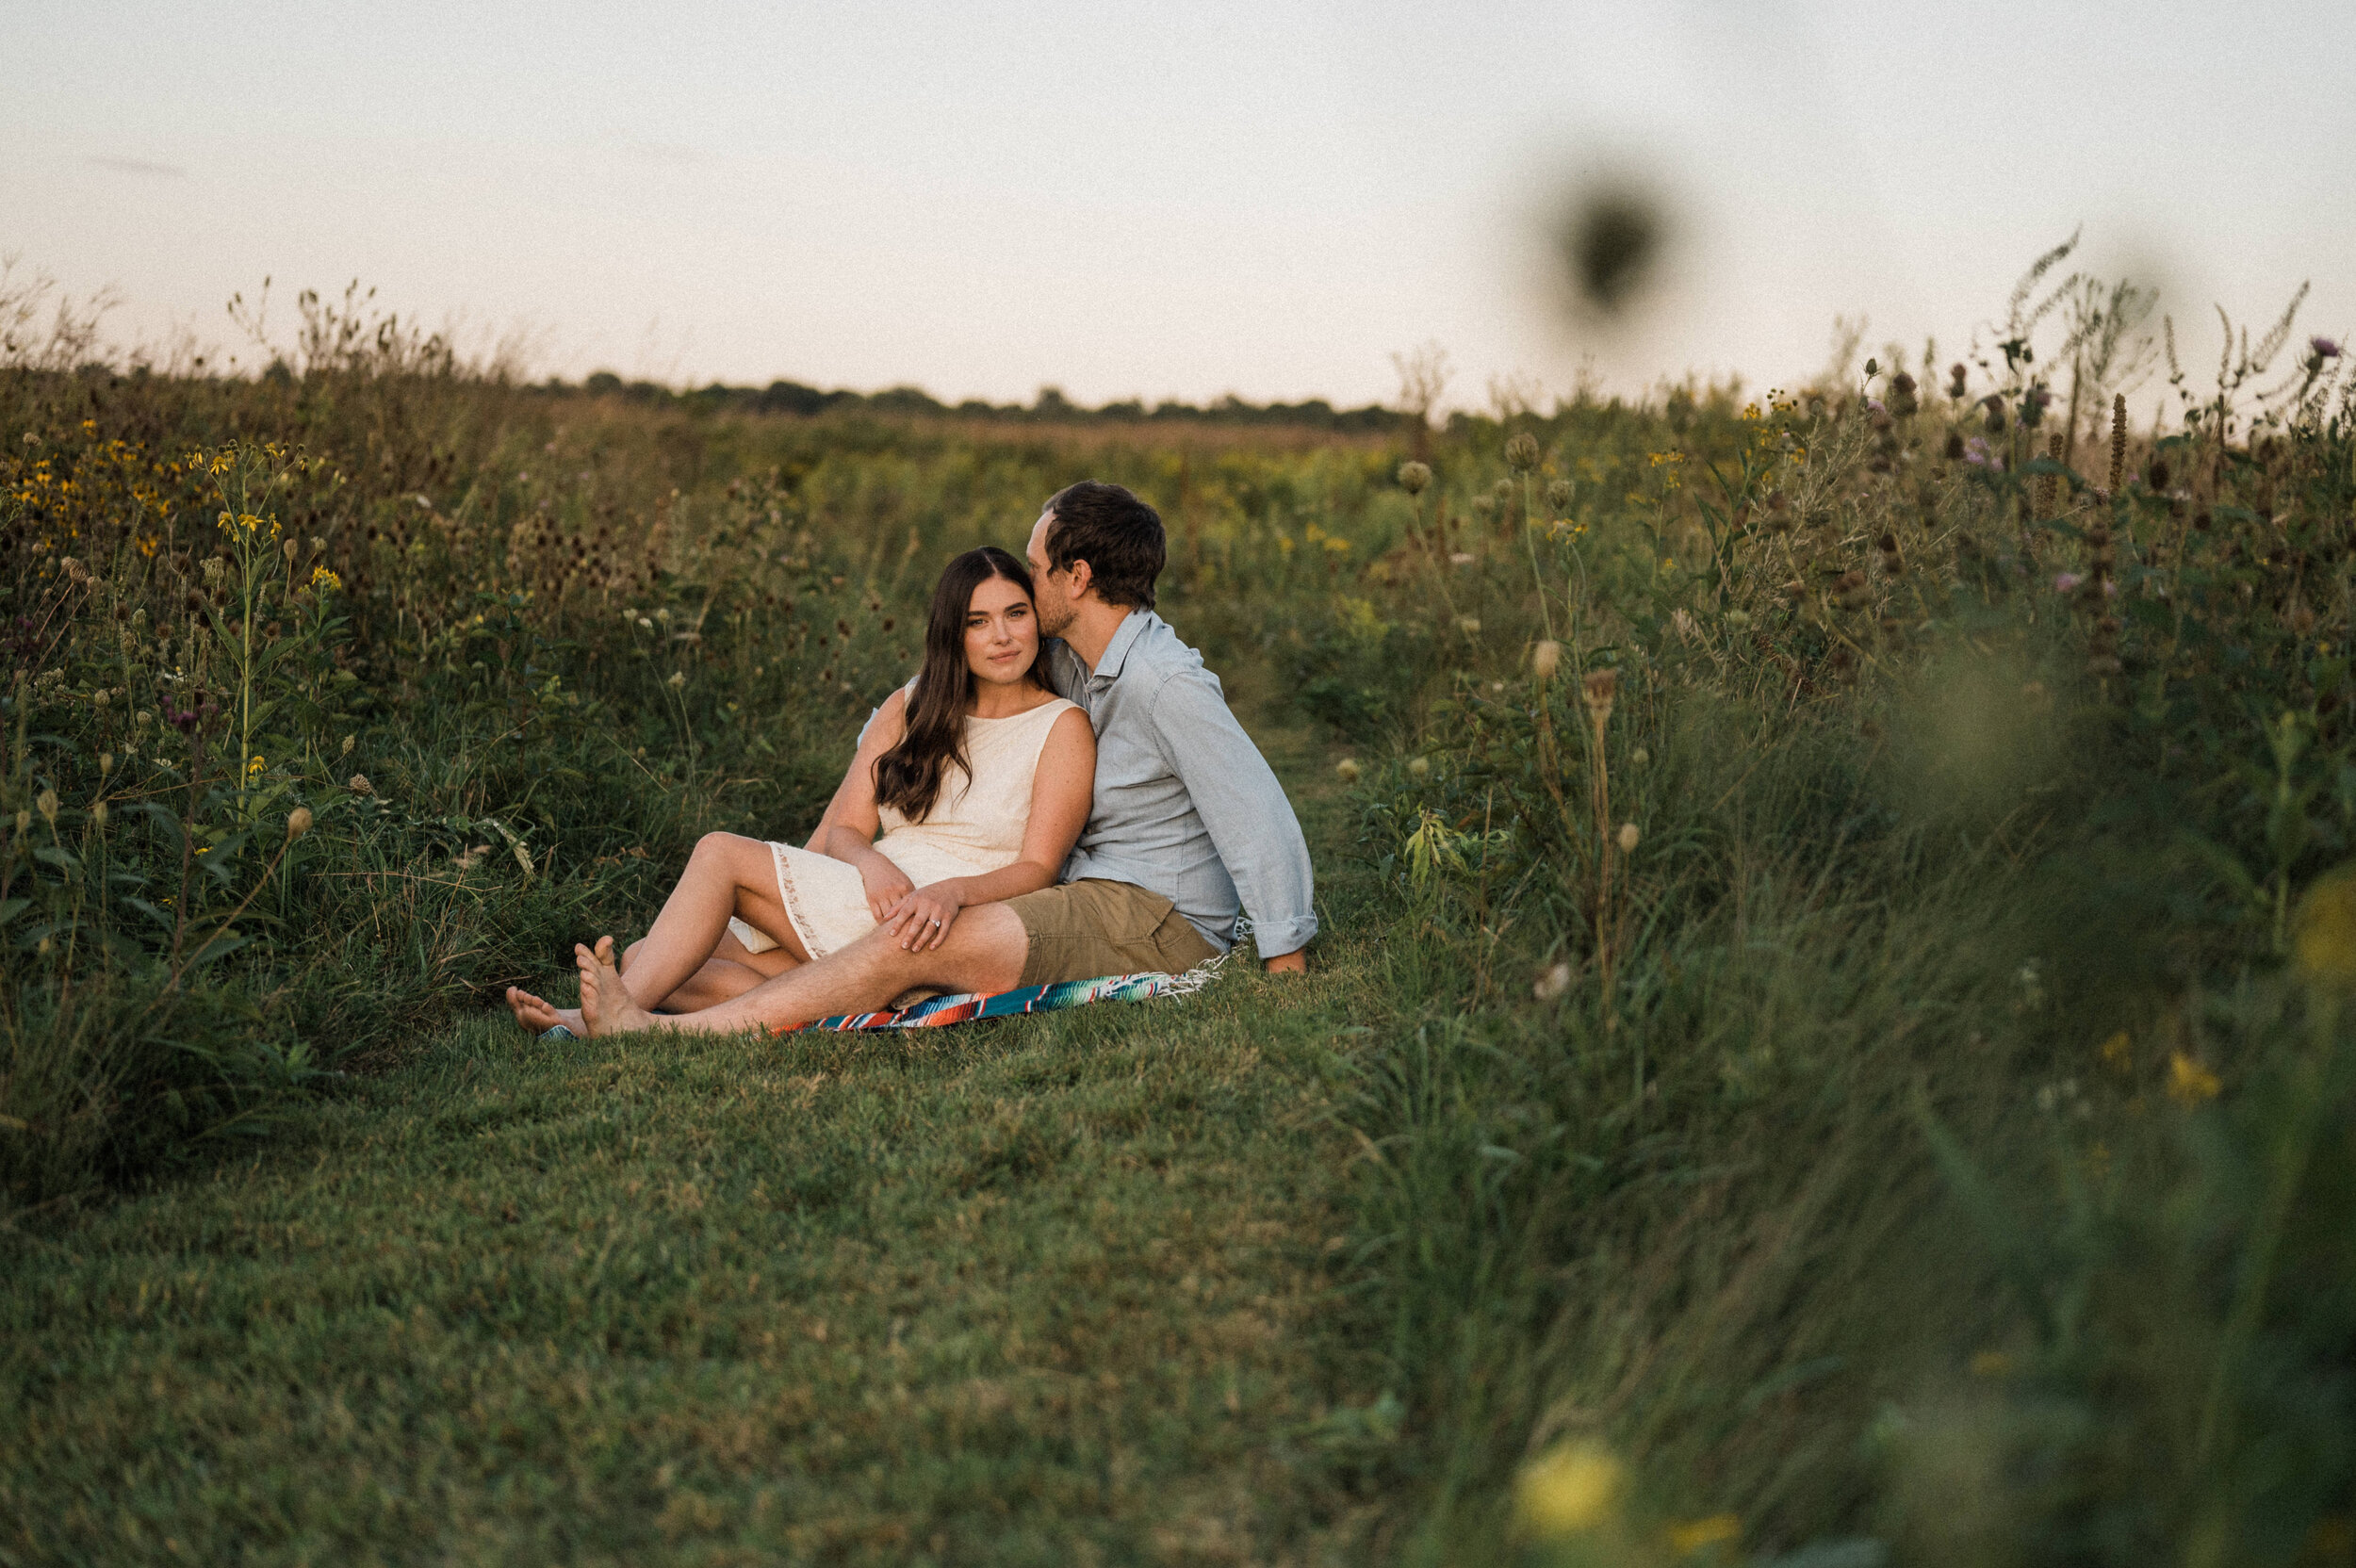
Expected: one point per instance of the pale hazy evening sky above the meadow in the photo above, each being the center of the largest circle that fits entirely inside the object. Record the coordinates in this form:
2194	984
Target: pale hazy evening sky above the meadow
1257	197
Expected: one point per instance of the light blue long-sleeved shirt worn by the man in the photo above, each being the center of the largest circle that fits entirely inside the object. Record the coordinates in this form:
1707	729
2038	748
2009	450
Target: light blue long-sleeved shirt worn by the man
1186	806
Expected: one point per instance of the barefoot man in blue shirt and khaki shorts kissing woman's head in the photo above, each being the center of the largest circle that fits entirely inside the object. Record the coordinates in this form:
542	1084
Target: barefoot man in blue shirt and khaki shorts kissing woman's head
1189	825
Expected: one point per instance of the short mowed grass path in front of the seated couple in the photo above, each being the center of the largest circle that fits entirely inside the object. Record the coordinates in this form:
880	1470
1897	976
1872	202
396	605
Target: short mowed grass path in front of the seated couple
1061	1289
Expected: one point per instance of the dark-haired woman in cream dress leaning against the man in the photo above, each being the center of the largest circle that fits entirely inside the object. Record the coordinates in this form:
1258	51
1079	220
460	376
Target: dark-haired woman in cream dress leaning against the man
977	776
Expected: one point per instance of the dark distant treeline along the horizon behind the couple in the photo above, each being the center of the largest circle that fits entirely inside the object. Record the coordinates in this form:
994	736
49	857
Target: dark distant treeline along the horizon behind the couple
1047	408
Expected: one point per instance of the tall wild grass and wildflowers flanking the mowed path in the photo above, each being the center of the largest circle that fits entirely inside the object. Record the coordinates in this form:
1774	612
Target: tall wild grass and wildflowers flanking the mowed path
1862	1065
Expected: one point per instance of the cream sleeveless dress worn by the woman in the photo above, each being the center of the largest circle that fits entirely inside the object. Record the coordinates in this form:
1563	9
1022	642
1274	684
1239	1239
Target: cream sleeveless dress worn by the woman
977	825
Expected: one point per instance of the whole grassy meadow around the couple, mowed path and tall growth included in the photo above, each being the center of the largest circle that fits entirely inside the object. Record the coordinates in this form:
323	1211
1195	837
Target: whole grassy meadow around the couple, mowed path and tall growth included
1829	1042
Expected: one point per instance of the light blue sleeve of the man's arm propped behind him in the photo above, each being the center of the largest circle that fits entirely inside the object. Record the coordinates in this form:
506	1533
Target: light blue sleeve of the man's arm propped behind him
1243	806
